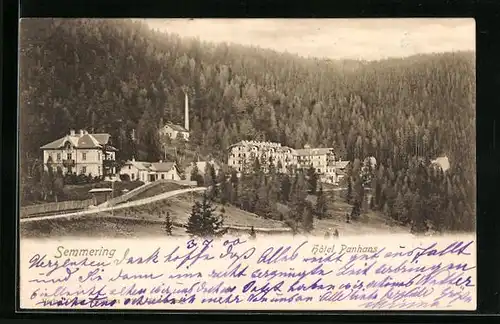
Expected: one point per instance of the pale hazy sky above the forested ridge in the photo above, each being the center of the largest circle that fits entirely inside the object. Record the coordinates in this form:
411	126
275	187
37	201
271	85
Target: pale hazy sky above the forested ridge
368	39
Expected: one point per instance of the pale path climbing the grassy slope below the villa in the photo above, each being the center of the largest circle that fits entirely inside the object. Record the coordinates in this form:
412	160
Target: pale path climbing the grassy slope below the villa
121	206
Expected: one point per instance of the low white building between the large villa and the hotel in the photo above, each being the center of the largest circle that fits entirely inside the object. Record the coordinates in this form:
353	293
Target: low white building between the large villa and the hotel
149	172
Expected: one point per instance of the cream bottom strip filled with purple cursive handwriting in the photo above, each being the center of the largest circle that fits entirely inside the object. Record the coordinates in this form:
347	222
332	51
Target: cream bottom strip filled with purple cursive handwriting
203	273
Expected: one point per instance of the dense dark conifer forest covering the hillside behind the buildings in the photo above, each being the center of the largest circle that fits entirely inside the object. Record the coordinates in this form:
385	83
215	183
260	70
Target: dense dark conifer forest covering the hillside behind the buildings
116	76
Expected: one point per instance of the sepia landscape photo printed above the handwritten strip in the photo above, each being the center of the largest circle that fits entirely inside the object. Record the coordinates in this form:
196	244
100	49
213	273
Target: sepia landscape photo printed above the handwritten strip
182	127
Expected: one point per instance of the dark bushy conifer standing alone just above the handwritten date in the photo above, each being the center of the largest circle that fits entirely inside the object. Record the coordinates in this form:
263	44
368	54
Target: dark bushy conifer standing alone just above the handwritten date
203	221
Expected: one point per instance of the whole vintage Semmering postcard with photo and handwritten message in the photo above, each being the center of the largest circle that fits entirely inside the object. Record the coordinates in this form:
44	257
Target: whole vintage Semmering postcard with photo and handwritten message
247	164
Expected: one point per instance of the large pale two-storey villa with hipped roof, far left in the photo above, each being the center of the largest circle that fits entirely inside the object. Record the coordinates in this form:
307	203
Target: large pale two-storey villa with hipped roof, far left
81	153
